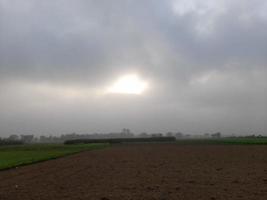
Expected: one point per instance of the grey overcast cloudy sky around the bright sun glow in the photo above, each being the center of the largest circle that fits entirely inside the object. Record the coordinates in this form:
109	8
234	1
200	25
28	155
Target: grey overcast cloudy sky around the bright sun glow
204	63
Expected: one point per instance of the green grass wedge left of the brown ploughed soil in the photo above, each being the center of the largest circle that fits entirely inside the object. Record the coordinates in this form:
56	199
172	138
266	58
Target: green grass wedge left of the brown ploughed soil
12	156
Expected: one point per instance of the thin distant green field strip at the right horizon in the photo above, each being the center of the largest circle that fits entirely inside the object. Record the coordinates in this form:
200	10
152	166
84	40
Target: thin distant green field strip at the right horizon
226	141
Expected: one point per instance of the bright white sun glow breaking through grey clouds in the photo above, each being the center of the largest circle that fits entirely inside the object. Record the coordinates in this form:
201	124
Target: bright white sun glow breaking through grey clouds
128	84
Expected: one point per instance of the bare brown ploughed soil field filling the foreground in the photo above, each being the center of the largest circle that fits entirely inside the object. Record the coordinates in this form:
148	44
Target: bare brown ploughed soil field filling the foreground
144	171
